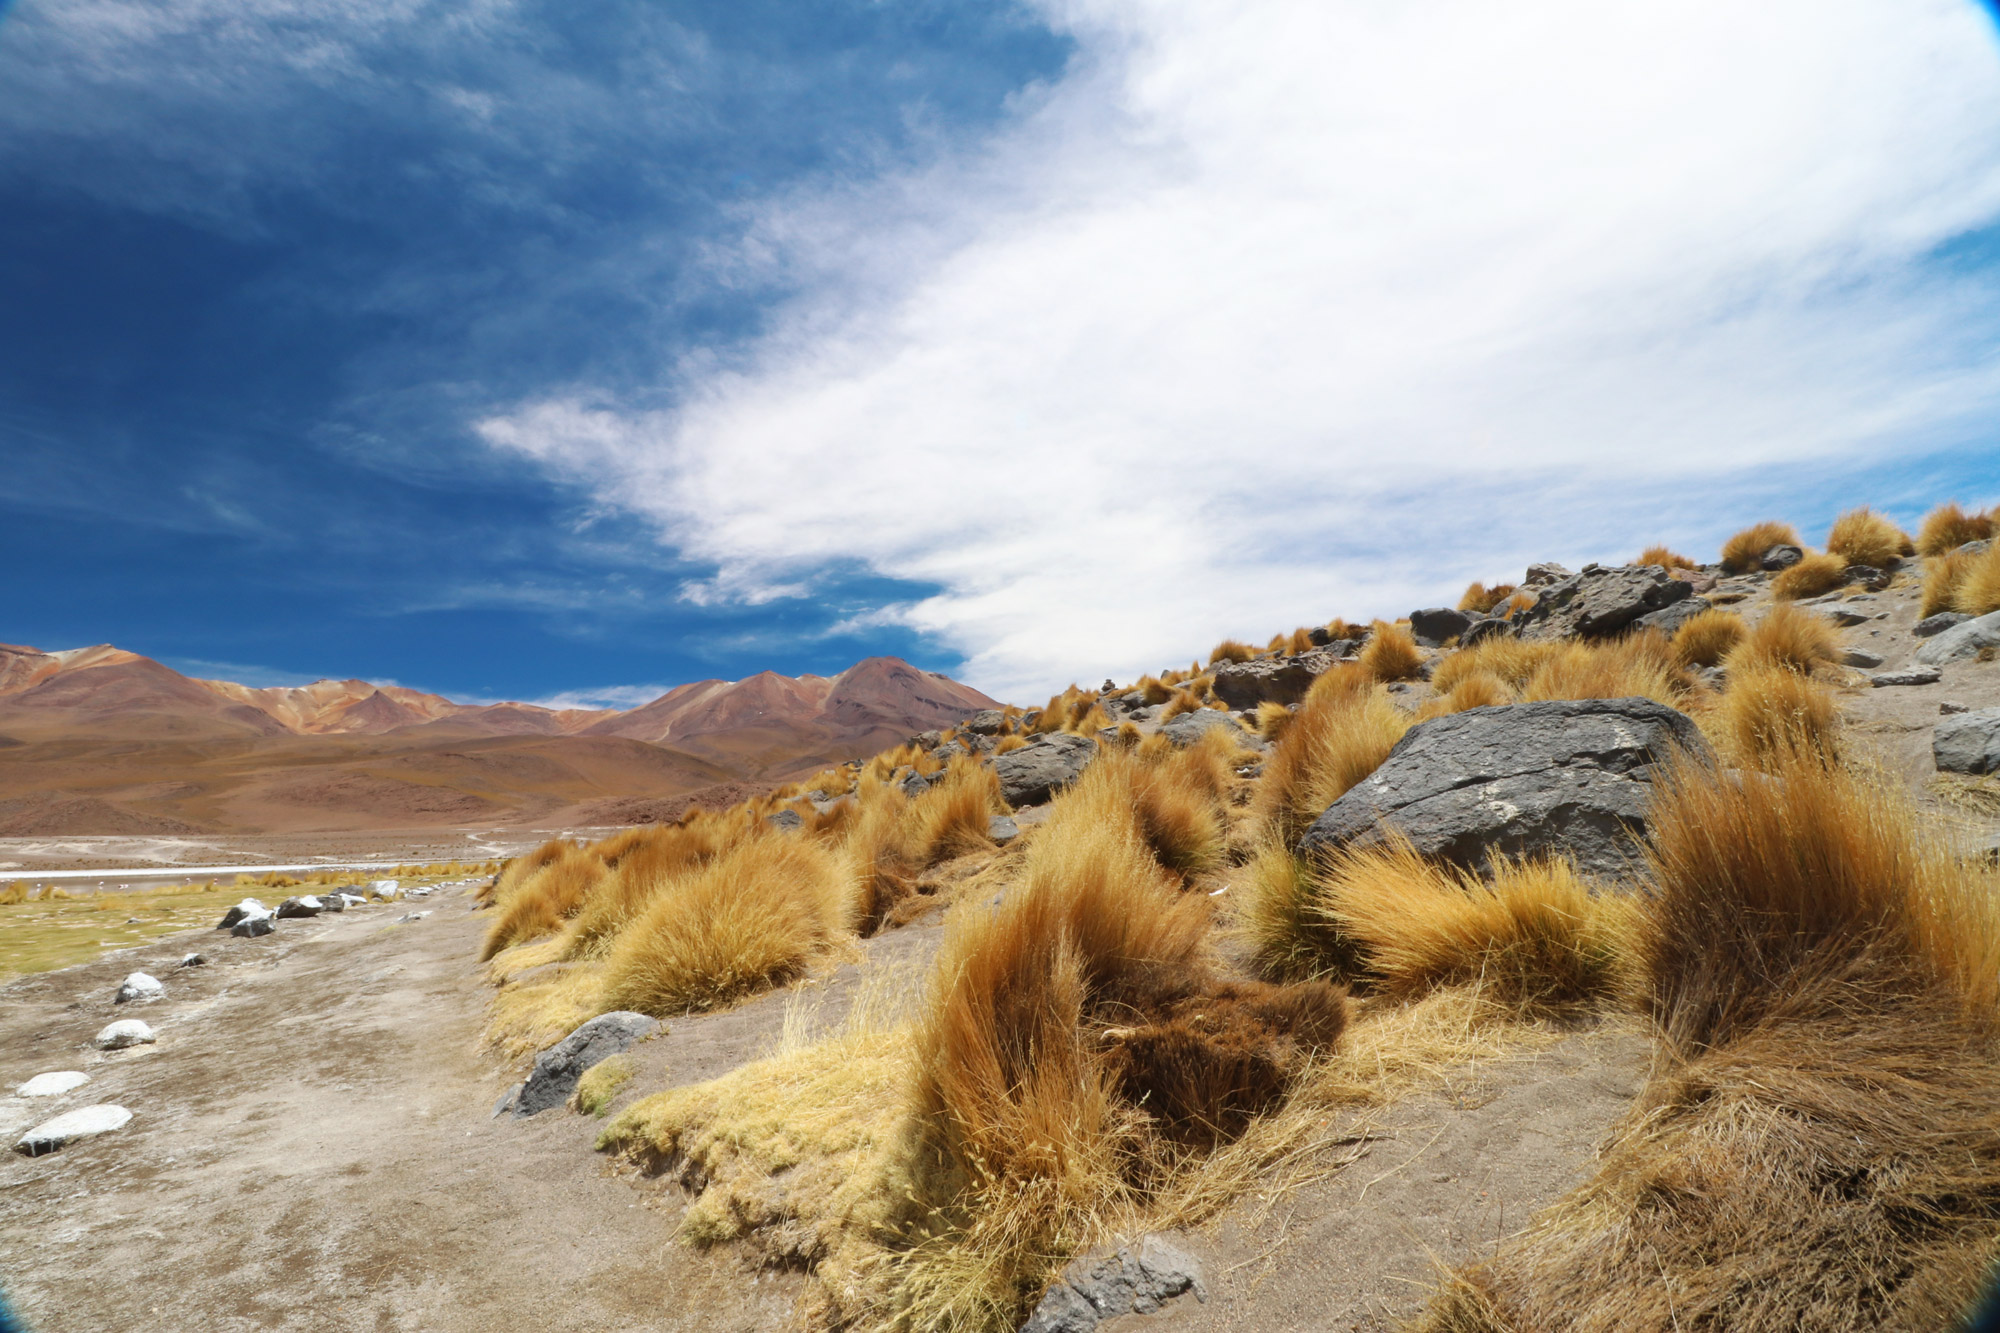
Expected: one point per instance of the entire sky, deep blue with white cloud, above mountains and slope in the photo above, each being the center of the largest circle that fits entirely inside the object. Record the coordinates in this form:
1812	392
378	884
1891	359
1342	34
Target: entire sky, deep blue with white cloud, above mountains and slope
519	349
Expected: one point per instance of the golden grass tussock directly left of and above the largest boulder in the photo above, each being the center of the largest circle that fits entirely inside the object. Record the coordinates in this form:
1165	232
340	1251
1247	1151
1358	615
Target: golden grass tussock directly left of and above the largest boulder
1339	736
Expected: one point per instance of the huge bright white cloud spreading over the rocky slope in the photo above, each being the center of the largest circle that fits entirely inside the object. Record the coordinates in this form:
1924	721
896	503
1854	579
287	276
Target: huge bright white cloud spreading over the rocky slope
1279	309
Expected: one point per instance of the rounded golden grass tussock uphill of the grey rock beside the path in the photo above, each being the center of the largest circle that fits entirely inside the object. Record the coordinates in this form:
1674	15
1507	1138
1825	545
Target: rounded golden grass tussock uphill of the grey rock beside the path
755	918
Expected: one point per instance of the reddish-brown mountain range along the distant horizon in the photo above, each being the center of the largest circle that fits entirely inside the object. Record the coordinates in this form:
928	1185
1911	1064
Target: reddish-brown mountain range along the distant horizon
111	742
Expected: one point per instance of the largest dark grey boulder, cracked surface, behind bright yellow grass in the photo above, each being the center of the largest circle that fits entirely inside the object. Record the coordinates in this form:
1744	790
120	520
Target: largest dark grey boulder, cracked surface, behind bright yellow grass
1561	778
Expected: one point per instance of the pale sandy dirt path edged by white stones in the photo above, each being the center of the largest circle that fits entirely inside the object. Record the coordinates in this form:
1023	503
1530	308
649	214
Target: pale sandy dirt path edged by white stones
313	1148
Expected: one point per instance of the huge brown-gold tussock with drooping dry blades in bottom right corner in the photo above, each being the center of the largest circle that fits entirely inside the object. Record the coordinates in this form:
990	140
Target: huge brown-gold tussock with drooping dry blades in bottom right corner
1821	1150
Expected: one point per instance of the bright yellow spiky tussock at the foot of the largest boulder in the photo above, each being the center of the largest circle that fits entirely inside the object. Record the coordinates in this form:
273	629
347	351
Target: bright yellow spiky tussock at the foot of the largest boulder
1535	938
